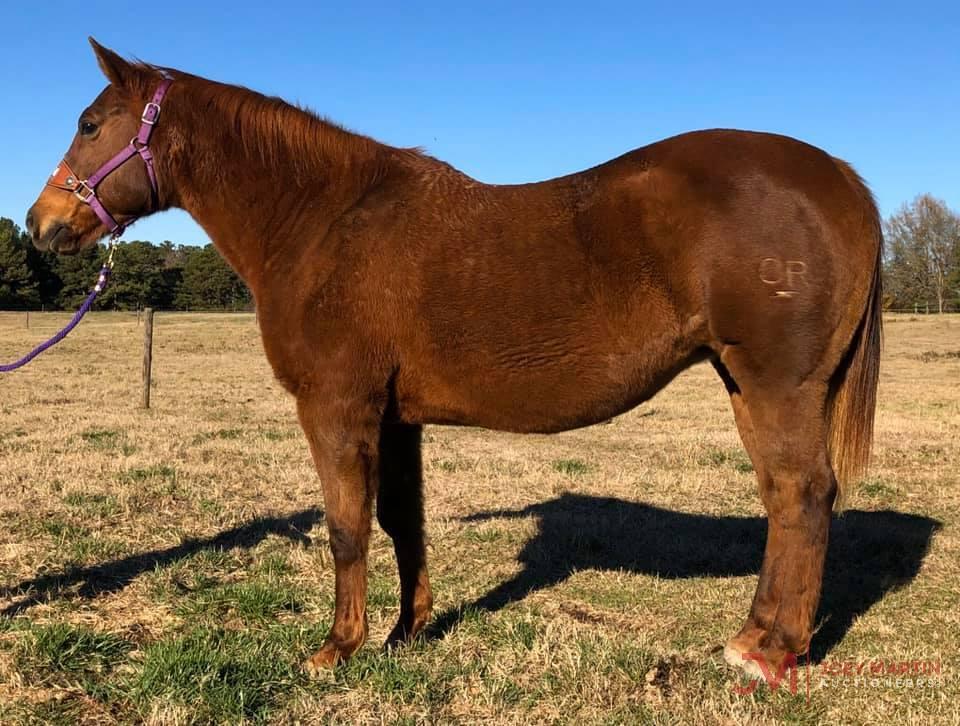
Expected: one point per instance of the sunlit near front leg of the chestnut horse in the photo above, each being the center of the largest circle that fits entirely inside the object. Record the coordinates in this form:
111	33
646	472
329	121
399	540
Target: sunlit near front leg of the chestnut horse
343	440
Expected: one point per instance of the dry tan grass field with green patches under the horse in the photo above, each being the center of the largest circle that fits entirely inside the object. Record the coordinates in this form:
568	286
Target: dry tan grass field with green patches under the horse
171	565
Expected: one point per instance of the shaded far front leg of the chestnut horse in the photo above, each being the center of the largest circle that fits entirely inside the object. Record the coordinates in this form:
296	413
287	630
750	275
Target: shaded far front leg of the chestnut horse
400	513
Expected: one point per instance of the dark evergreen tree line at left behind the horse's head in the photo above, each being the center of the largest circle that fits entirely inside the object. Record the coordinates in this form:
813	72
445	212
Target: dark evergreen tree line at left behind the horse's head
164	276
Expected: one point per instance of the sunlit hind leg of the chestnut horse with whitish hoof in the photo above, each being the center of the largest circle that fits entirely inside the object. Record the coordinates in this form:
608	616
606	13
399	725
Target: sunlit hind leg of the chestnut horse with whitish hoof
784	430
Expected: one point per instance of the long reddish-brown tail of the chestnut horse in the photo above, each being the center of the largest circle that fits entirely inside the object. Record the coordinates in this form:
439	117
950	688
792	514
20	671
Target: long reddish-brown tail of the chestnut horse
852	398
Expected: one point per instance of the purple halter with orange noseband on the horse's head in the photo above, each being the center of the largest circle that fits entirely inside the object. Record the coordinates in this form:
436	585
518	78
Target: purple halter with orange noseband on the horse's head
63	176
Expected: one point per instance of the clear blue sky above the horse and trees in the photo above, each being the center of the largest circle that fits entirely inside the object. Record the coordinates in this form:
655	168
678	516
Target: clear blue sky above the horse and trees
512	92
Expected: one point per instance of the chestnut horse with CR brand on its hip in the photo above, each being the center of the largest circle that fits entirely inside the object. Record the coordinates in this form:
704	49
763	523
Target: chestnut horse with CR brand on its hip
394	291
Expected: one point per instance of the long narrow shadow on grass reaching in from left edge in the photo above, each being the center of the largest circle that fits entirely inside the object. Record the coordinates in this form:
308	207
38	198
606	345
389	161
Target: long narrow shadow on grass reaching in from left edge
88	582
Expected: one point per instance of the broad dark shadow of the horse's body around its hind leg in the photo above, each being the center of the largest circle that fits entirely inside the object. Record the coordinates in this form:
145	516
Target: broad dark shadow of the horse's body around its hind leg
870	554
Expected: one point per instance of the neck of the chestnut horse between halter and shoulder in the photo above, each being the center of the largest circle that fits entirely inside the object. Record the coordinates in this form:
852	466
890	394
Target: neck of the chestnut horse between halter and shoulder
259	198
